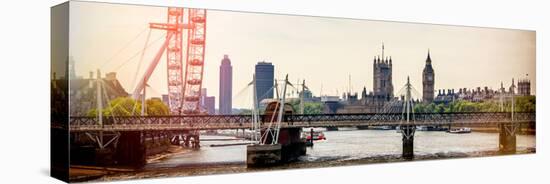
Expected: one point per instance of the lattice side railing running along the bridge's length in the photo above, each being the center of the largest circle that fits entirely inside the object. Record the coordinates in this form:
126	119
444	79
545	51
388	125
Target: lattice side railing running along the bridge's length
235	120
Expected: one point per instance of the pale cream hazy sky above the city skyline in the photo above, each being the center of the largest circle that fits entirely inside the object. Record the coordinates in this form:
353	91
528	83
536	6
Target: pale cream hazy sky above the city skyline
323	51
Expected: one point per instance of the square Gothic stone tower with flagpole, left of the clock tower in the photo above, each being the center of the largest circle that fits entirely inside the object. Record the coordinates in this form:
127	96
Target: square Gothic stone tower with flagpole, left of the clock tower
382	77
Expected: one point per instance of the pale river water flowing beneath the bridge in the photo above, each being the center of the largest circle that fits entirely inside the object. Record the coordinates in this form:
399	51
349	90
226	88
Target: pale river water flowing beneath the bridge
343	147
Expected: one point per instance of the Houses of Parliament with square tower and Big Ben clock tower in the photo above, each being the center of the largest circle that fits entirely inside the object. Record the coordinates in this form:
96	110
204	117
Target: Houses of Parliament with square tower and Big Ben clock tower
382	100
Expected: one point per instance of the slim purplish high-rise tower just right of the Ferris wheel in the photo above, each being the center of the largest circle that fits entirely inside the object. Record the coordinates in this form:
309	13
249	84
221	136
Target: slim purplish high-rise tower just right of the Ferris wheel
226	86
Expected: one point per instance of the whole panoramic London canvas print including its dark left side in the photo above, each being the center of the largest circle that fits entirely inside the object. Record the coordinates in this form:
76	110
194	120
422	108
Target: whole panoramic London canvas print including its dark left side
293	92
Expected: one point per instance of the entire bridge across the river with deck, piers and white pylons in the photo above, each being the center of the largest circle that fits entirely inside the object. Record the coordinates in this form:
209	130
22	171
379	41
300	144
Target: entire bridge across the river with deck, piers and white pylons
131	132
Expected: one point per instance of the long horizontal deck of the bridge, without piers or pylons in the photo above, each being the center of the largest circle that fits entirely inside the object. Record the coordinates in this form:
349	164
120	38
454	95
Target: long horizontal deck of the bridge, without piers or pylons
206	122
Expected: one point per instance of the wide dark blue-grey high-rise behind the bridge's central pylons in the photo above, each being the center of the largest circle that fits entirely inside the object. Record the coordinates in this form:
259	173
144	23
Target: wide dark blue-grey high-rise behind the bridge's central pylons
265	79
